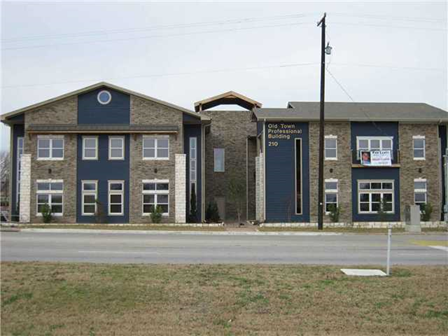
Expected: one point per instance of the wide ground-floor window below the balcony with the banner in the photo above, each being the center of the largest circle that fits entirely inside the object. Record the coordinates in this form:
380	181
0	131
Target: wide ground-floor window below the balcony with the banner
375	193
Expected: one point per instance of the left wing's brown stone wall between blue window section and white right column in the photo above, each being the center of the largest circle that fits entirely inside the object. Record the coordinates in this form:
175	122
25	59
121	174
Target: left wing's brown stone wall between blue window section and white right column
145	112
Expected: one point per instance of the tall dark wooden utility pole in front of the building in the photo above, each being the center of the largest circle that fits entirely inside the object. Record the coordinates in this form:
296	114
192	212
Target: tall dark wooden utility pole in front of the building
320	201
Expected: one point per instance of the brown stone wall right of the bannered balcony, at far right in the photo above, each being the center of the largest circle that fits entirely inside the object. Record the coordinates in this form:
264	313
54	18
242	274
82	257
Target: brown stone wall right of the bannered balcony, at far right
431	167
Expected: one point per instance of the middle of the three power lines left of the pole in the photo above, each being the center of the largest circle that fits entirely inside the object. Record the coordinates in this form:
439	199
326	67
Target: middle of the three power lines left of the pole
158	36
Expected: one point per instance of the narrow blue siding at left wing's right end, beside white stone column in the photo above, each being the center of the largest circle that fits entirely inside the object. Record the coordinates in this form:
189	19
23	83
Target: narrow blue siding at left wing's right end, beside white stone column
194	131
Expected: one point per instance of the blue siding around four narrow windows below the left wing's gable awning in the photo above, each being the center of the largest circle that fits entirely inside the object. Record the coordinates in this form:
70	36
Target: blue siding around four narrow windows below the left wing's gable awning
103	170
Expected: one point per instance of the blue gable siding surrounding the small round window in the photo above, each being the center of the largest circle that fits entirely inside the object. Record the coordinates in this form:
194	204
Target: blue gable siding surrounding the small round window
90	111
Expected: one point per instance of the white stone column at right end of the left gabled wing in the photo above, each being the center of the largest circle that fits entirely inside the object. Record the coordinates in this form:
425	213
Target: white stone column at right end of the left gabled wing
181	188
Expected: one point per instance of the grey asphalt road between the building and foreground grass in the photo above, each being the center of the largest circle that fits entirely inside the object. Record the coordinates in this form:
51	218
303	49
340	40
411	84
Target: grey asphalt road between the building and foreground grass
347	249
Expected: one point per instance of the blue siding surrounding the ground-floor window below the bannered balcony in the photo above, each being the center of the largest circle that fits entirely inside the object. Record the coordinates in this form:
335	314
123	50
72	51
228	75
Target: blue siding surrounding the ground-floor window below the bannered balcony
375	174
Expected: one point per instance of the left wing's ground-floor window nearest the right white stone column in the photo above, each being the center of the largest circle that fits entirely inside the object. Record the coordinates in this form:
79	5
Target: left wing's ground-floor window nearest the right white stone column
155	193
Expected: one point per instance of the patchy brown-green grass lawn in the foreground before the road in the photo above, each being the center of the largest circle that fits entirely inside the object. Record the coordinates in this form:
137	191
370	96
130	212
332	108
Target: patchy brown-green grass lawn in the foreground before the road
98	299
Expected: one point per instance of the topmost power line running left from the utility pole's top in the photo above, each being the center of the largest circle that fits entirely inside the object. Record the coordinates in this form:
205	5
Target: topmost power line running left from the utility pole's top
174	26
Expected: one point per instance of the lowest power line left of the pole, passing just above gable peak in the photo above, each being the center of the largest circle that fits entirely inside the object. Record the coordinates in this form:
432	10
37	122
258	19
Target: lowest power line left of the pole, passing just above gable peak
167	74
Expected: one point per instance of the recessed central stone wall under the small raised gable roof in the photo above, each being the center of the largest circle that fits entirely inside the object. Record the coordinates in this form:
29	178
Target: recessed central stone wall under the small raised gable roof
229	130
